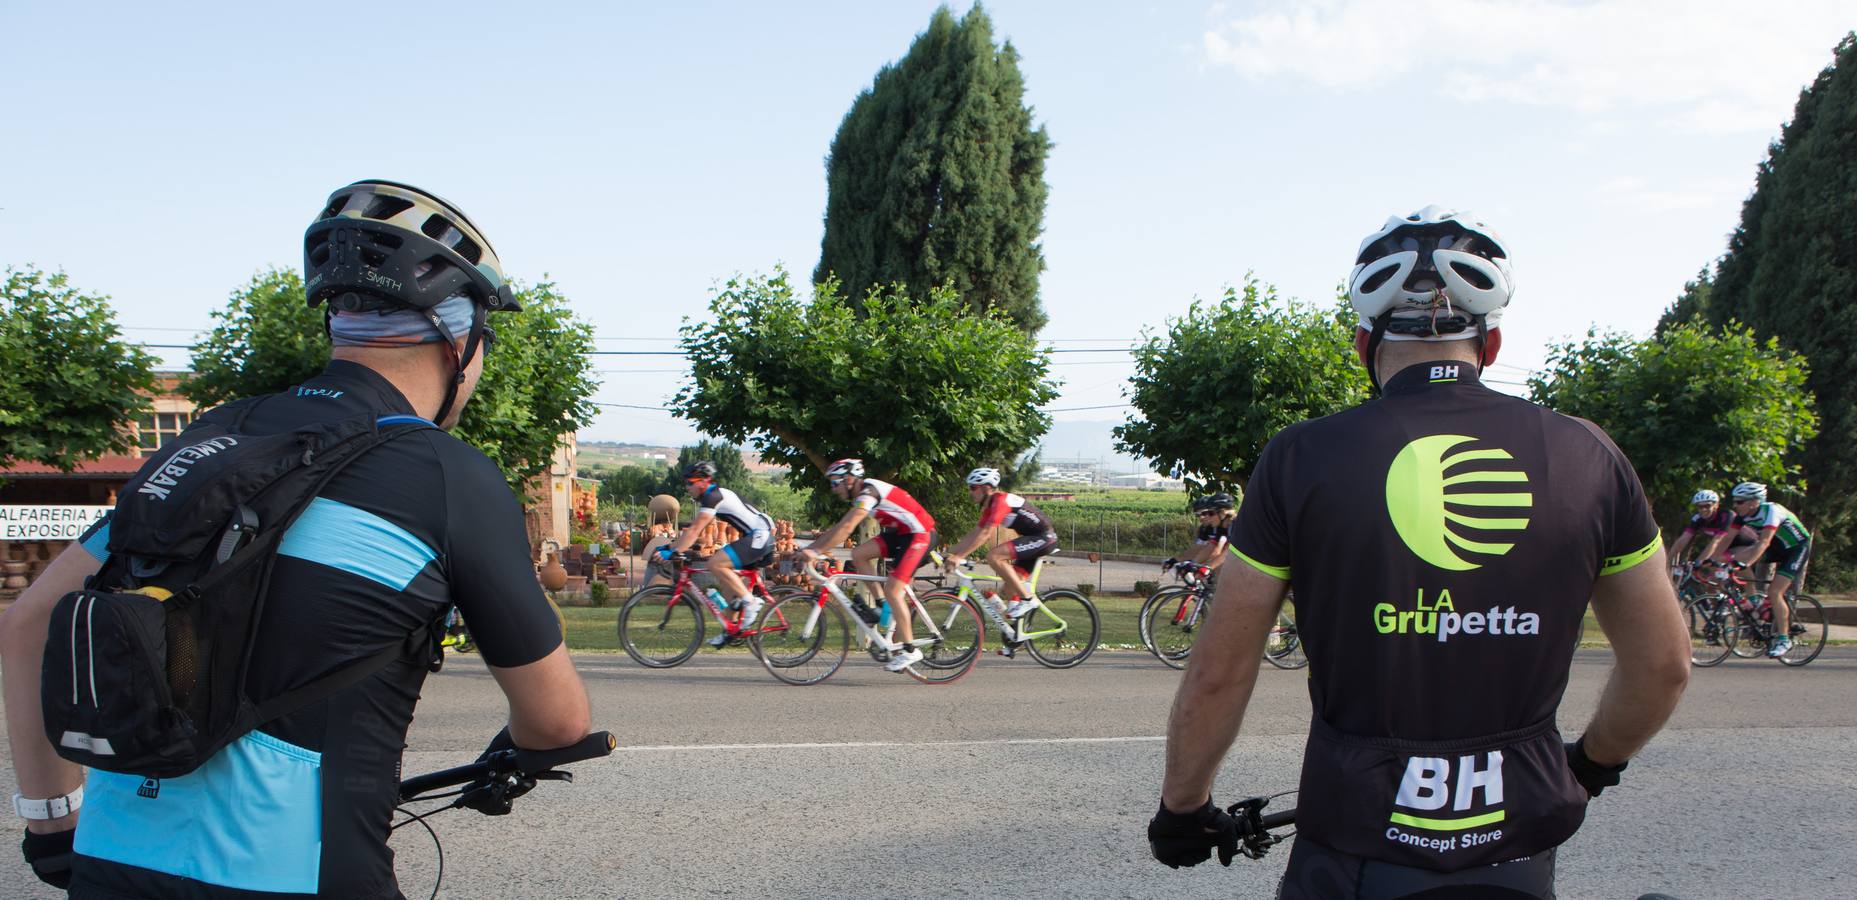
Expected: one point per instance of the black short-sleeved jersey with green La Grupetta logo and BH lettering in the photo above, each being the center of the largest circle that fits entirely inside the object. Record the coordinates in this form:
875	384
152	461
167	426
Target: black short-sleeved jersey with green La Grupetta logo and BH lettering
1442	545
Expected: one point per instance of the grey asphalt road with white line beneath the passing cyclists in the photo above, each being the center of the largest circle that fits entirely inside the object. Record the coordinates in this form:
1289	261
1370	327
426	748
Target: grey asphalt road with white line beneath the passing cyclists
1022	782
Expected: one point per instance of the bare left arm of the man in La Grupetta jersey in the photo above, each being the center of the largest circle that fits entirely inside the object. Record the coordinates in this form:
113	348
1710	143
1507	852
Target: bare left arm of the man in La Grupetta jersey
1221	676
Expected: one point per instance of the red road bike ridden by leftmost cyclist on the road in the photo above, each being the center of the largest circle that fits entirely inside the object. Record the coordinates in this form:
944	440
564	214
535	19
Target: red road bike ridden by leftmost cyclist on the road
662	626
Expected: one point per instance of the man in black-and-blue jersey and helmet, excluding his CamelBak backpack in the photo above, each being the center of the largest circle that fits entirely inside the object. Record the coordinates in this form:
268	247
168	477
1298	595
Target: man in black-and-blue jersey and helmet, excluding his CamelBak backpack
302	806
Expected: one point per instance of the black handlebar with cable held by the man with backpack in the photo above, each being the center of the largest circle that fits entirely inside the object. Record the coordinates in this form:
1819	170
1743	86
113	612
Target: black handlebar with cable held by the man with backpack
493	784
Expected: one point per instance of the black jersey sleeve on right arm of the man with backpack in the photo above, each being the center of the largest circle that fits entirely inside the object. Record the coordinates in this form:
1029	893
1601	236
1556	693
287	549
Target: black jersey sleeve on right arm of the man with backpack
489	569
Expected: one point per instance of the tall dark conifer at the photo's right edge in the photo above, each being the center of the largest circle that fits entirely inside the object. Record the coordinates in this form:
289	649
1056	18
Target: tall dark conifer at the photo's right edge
1791	274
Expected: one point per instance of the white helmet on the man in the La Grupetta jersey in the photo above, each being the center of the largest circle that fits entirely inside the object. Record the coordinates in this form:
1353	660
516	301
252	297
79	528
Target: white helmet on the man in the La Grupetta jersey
1436	272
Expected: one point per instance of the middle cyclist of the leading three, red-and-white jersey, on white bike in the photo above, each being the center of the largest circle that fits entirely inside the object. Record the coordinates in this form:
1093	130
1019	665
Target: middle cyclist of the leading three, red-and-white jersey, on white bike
905	539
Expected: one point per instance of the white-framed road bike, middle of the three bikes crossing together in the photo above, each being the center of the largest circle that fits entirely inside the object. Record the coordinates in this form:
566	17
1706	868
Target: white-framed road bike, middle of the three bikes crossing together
805	637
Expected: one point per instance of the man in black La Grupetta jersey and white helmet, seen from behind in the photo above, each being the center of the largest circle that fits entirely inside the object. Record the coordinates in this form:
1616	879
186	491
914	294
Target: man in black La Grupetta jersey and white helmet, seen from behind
1442	543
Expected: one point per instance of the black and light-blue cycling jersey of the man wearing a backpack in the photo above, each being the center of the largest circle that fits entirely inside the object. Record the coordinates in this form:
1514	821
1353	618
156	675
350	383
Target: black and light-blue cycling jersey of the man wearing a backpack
302	806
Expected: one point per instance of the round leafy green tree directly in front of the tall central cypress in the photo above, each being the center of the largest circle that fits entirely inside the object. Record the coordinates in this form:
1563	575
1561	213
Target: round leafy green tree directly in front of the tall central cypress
922	391
